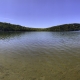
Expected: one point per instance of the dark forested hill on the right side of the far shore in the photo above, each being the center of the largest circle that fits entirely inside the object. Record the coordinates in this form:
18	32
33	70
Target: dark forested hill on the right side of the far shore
65	27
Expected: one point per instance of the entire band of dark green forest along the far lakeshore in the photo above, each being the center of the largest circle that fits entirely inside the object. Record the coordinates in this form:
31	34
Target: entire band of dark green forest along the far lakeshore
64	27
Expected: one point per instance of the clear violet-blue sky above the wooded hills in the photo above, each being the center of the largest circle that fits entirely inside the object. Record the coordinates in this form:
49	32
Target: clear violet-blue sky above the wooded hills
40	13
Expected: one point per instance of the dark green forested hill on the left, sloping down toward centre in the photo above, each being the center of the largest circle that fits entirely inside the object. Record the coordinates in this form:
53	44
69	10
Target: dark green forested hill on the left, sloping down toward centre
13	27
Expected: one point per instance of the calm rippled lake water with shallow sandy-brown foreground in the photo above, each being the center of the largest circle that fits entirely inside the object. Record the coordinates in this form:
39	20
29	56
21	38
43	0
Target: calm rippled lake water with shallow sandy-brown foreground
40	55
